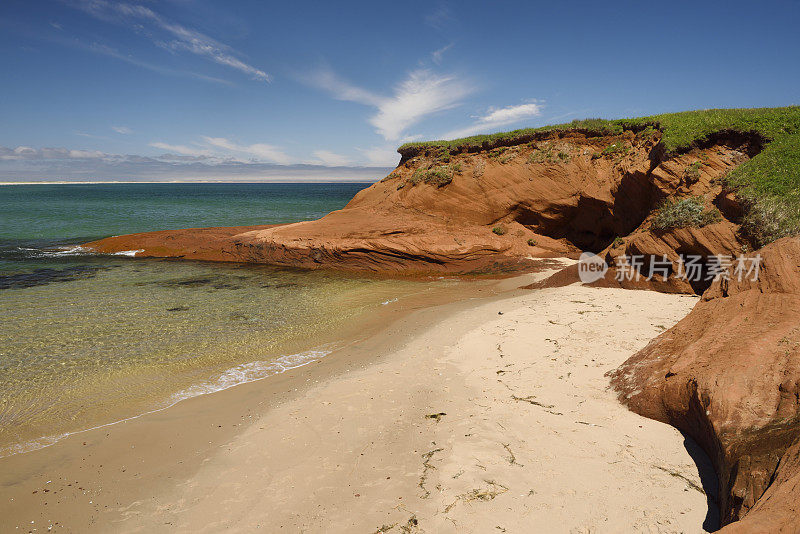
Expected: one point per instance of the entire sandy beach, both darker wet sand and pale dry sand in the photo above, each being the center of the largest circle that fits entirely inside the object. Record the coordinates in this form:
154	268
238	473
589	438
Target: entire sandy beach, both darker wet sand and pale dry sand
481	415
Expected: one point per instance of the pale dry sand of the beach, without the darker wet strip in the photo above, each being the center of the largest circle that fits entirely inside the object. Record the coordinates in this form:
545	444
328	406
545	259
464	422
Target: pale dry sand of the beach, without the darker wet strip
532	439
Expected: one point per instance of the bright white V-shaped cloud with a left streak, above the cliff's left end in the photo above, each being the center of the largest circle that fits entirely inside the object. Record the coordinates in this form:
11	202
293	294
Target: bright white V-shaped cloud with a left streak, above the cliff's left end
422	93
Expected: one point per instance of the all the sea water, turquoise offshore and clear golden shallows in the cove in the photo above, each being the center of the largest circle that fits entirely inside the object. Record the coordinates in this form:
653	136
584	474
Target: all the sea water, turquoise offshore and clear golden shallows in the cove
87	340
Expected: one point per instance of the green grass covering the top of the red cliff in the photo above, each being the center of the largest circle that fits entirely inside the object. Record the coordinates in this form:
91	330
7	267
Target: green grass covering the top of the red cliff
768	184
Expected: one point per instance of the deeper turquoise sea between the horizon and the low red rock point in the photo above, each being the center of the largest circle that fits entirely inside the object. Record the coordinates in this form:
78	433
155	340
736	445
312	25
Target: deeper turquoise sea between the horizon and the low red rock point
35	217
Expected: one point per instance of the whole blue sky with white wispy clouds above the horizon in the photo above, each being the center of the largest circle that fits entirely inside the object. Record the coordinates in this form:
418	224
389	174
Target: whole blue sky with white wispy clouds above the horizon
194	89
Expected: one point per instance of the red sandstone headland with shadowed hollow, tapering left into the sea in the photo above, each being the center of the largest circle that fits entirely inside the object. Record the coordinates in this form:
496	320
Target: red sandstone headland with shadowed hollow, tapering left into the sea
488	212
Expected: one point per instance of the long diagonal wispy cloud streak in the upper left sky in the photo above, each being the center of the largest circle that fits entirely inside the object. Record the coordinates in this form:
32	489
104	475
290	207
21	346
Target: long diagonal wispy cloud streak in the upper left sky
150	23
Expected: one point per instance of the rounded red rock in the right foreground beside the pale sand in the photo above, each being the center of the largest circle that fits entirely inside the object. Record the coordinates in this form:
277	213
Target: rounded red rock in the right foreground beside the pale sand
729	375
